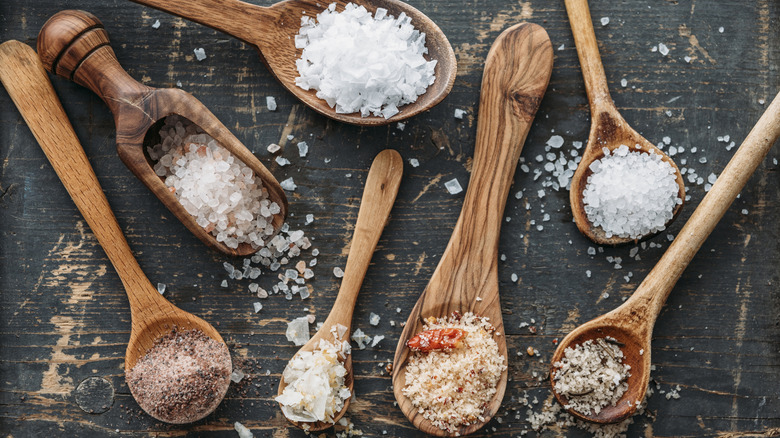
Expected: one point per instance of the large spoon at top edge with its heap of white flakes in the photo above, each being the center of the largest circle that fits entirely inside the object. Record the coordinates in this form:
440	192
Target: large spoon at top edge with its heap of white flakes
370	65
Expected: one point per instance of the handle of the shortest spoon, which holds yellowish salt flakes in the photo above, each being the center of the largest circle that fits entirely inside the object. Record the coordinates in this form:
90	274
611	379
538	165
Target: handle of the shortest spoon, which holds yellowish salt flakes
384	179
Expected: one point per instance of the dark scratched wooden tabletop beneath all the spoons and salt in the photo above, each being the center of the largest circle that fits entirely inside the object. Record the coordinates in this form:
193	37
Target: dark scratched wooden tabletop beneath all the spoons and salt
64	317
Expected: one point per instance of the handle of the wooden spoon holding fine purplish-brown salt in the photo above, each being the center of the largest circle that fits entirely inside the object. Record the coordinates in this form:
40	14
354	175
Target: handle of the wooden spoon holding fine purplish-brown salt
25	79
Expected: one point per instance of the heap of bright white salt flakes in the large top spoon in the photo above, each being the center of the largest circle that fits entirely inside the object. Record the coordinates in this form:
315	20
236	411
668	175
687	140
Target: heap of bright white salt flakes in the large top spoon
362	63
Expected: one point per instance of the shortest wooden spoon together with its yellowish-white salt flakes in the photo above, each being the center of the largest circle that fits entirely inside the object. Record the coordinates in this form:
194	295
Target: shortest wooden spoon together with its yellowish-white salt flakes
316	386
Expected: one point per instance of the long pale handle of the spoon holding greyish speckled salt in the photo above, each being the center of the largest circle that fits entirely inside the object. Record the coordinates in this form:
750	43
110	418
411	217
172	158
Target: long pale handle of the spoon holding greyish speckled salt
659	282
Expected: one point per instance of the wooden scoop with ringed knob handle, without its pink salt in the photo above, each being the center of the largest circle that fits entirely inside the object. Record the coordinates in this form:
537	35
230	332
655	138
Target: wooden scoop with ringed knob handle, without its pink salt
74	45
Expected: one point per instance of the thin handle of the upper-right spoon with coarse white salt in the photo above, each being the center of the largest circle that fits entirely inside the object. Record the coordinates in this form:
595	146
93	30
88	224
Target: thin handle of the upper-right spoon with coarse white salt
588	52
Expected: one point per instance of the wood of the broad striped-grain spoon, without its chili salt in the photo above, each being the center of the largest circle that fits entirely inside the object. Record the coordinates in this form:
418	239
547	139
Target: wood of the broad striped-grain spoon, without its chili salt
516	74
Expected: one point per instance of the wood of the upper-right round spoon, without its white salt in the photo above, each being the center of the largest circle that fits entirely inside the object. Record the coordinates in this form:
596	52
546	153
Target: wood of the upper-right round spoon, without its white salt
608	129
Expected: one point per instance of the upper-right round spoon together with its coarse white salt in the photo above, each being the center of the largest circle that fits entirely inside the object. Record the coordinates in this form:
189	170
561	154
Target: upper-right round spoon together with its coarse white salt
625	188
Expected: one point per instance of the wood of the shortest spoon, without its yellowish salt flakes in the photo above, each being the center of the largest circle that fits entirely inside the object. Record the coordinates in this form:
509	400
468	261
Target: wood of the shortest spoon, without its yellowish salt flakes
384	179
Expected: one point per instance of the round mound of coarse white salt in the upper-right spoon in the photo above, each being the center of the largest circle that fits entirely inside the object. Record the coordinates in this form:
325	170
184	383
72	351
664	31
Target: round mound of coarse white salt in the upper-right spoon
630	194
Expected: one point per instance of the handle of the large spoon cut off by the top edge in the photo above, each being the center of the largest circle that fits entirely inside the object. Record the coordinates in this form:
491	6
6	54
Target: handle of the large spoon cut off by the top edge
233	17
